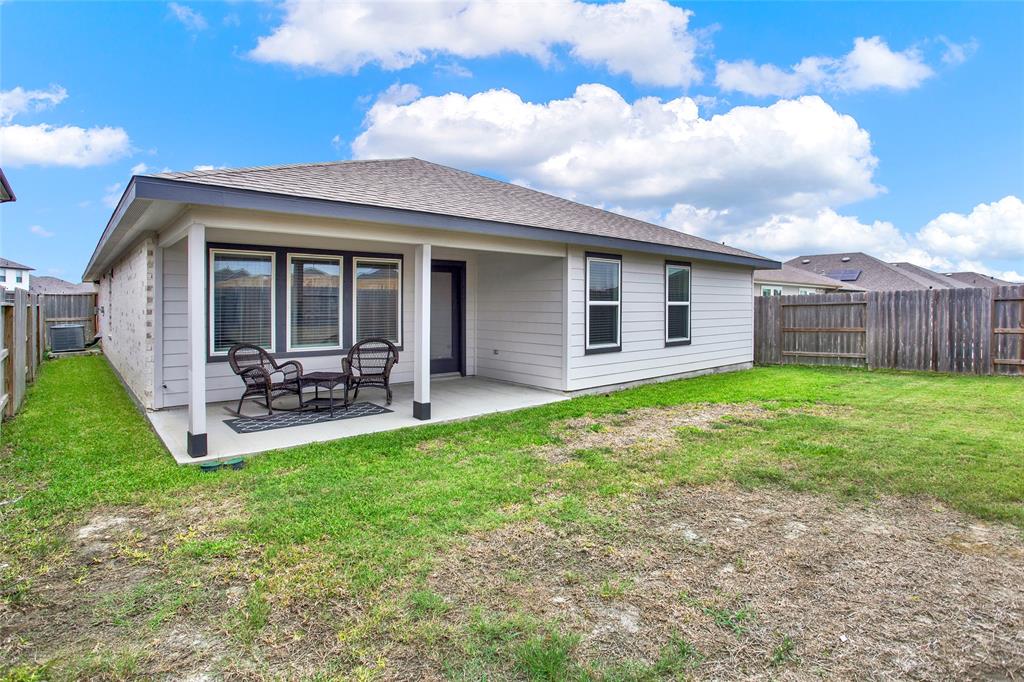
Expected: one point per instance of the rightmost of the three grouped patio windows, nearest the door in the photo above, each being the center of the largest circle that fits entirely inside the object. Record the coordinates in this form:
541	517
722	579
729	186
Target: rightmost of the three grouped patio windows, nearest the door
377	300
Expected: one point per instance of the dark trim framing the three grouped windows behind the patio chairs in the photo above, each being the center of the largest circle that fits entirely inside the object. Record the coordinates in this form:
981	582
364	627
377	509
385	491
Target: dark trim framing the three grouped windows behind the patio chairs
281	295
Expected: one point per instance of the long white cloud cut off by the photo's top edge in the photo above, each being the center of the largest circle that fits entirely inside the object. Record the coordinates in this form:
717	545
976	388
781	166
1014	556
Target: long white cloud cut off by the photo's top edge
647	39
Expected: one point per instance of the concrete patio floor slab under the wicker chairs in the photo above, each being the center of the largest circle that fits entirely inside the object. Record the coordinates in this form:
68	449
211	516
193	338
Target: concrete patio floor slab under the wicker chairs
452	399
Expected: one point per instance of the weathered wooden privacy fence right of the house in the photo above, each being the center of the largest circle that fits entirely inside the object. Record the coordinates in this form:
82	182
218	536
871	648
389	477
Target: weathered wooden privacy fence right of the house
974	331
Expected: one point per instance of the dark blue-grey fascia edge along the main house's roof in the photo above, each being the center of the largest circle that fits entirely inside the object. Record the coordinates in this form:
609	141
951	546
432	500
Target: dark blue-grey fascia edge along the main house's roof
155	189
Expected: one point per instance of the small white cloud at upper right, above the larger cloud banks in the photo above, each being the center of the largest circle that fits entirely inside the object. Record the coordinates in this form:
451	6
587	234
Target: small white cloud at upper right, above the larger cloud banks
869	66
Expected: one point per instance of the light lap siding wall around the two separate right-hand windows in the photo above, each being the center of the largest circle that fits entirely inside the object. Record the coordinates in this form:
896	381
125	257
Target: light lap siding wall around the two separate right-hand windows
722	321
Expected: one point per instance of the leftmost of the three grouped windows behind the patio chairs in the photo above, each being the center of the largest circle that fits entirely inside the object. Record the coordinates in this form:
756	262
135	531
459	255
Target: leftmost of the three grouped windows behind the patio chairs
241	300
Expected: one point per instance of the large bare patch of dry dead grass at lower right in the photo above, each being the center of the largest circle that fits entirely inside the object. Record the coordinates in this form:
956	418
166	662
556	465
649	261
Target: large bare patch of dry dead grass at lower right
765	583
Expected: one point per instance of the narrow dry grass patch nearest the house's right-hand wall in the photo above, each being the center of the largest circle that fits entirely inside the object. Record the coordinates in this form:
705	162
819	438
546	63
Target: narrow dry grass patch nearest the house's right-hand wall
655	429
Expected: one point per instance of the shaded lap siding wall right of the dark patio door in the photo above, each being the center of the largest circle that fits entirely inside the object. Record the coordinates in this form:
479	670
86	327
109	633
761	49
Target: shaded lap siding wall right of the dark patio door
520	315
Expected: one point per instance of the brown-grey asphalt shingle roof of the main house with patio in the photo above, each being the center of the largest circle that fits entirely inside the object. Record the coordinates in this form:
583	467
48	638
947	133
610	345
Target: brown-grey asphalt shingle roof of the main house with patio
420	186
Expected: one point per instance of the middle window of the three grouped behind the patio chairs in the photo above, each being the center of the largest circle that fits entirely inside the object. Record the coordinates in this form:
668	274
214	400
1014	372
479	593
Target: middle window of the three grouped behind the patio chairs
314	303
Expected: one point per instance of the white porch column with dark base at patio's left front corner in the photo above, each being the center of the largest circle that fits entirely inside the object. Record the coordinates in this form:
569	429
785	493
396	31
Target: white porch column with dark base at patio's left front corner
197	446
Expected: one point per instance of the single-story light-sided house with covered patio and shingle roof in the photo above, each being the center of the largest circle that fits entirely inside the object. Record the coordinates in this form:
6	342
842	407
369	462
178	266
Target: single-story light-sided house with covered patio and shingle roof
516	293
